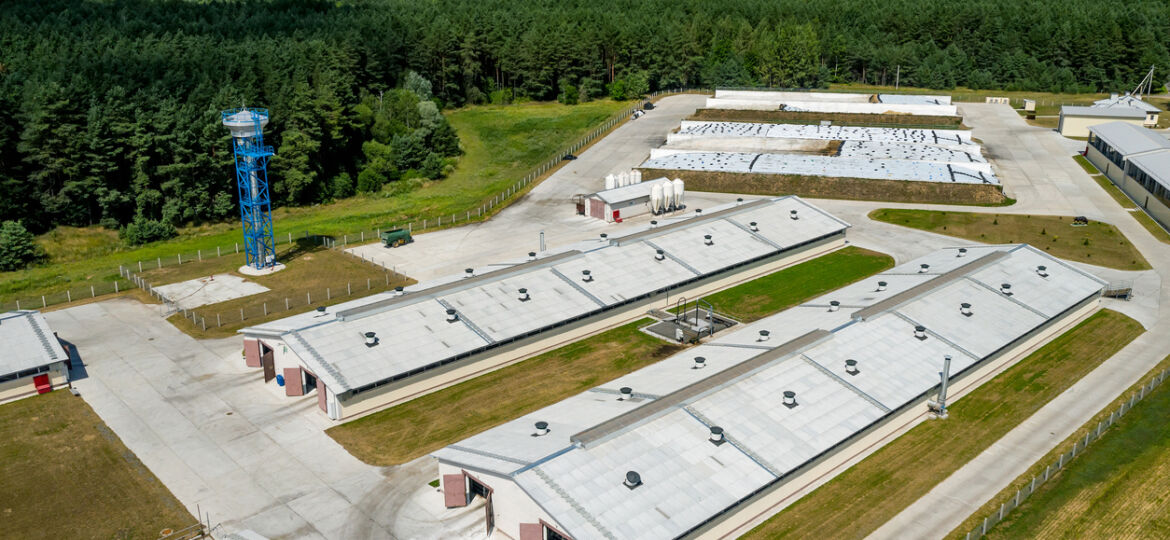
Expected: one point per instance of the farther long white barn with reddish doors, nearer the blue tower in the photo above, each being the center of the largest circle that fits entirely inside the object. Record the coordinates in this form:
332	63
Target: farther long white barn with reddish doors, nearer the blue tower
368	354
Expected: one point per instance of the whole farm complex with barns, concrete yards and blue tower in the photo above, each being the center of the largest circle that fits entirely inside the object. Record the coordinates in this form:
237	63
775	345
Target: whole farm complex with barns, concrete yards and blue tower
660	336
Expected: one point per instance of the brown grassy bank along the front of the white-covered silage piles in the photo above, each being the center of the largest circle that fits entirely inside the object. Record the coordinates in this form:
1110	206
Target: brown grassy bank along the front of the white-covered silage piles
831	188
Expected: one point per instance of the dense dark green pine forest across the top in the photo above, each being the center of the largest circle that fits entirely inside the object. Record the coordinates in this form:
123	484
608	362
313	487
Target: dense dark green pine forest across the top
109	112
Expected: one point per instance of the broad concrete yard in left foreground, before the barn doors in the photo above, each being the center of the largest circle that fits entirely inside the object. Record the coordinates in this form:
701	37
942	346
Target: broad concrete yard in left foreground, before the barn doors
232	447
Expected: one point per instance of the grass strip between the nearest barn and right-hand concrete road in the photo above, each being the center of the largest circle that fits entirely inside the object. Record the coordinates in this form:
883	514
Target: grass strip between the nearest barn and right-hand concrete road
870	494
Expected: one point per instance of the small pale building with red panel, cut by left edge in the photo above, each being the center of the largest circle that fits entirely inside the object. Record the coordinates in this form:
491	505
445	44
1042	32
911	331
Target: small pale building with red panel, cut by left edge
32	361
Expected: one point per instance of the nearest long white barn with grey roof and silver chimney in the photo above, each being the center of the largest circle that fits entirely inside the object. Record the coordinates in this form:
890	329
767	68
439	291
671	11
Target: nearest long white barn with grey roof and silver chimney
676	449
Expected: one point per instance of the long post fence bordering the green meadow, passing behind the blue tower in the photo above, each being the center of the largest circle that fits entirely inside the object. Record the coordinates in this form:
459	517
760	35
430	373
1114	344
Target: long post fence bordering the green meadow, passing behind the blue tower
129	273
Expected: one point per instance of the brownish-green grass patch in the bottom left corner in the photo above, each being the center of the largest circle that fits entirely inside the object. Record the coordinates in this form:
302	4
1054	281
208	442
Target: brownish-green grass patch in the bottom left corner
64	474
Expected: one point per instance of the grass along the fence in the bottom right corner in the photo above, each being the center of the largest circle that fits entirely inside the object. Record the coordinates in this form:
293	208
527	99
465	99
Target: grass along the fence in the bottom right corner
1109	480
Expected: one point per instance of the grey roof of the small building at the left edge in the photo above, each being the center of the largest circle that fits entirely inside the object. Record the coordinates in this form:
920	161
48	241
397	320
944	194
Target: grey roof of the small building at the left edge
27	342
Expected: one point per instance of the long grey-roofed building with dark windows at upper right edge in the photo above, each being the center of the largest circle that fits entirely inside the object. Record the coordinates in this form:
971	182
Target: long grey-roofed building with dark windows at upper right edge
1137	161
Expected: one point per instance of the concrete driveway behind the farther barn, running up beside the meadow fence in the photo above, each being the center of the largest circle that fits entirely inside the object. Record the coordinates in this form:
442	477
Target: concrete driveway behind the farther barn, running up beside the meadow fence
548	207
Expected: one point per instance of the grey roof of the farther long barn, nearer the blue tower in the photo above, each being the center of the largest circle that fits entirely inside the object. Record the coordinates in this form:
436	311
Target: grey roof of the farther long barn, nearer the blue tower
415	334
